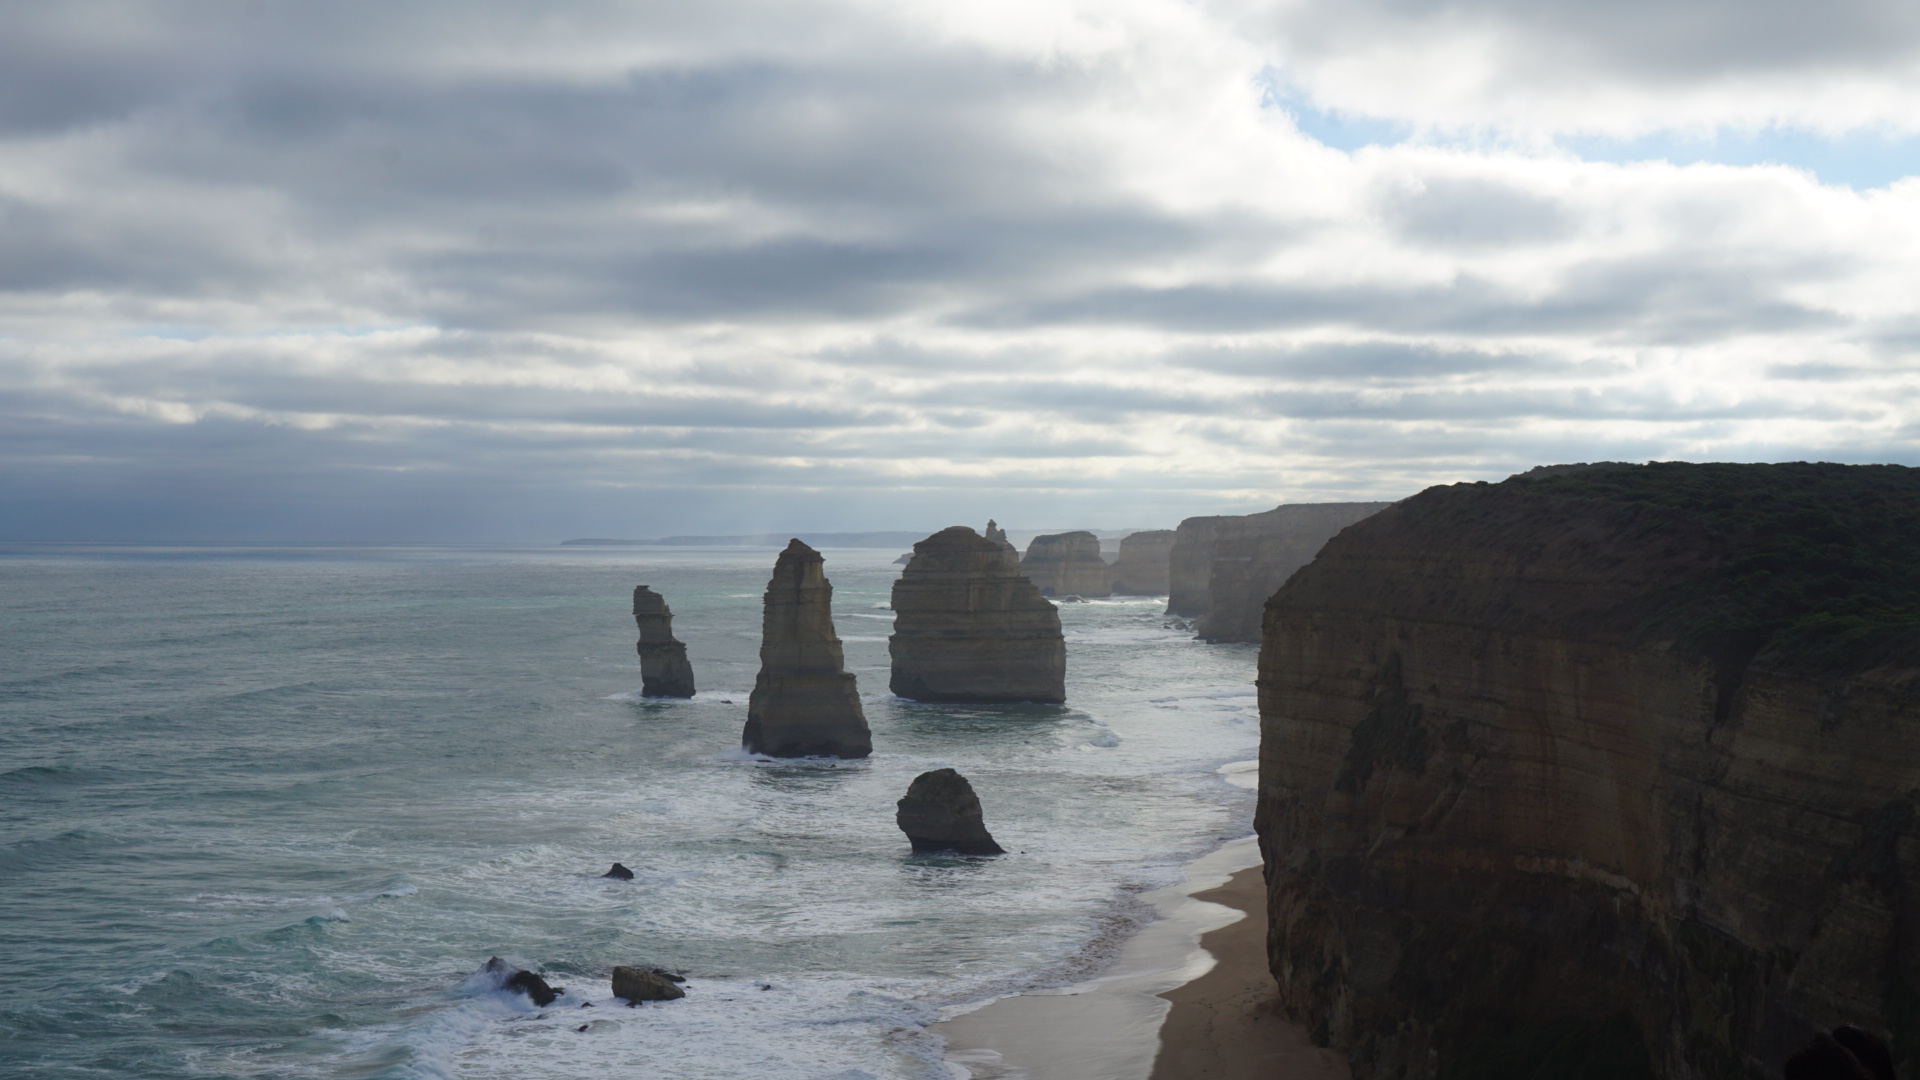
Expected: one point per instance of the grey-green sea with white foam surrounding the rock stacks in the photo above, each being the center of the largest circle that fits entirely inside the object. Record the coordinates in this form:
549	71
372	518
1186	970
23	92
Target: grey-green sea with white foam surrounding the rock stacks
264	812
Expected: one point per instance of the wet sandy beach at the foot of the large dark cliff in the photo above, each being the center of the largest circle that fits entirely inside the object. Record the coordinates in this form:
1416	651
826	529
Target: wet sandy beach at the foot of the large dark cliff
1189	996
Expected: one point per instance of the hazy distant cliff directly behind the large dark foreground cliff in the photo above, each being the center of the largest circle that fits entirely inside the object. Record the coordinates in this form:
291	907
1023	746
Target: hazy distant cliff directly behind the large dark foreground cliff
1257	554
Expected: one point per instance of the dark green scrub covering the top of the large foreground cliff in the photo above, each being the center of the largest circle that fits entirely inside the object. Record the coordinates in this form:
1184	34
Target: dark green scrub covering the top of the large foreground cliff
1819	566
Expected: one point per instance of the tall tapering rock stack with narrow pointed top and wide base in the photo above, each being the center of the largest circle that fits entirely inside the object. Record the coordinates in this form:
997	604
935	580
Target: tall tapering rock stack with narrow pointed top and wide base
805	702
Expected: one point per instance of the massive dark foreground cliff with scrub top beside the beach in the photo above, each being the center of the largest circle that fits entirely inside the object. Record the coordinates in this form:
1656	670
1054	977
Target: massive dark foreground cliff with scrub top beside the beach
1616	764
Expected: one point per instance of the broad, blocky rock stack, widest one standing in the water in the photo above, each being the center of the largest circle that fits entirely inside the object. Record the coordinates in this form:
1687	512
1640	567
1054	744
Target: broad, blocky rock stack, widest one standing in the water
971	627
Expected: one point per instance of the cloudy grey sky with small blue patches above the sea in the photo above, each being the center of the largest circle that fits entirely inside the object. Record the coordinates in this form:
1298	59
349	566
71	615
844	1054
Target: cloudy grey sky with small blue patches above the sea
517	272
